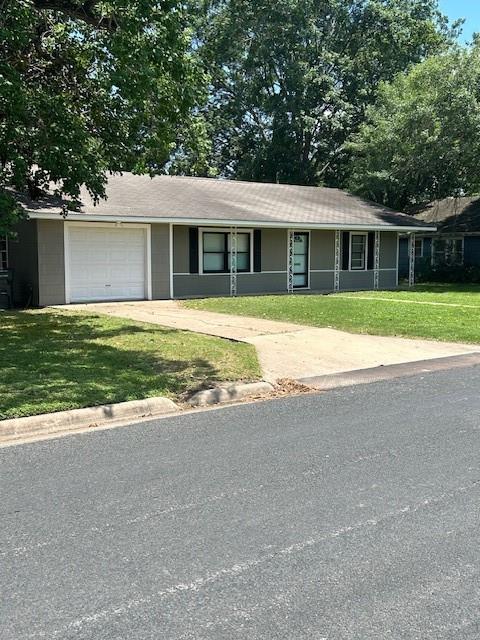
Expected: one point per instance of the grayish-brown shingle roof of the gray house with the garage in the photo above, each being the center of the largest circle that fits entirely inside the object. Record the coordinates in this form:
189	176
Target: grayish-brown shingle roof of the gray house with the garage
209	199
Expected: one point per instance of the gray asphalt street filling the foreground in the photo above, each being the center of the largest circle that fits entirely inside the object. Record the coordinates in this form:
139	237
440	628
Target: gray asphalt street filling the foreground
349	514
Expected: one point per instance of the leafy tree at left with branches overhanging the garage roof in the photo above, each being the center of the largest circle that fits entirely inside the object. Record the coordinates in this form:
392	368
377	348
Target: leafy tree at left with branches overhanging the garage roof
91	87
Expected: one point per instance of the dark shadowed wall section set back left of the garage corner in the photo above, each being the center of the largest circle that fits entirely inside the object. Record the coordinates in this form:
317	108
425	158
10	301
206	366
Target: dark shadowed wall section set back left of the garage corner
23	259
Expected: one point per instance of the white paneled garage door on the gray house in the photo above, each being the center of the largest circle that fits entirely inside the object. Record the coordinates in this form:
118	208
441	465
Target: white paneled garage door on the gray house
106	263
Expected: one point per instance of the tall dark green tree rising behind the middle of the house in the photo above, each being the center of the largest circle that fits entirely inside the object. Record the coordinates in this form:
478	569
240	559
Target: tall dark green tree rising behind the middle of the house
291	79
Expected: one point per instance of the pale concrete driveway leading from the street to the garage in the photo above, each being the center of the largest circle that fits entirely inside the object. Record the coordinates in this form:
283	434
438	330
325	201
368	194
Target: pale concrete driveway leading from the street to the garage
286	350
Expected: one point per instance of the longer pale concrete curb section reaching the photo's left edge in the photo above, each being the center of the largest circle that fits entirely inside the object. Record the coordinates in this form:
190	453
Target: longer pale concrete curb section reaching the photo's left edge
62	421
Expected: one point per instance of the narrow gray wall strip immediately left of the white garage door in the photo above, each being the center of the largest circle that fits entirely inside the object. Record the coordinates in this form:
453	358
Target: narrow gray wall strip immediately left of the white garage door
51	262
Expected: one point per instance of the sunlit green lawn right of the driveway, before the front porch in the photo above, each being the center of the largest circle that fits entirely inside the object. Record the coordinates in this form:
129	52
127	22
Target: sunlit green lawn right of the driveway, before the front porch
414	313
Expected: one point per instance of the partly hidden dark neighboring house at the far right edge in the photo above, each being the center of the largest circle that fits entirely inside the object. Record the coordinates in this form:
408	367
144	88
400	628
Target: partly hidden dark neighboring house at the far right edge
456	241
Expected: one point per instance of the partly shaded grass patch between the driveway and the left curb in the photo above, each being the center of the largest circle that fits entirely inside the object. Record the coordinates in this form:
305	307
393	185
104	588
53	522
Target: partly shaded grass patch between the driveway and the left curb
54	360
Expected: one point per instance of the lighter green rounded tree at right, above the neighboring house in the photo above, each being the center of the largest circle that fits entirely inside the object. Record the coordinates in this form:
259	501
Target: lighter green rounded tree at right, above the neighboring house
421	141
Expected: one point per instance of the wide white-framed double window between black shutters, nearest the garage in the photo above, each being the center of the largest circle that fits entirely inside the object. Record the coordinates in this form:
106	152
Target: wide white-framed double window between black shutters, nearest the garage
216	252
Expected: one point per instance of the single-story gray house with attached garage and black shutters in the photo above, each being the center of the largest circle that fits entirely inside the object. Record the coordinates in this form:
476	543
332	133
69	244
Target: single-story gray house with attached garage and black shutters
176	237
